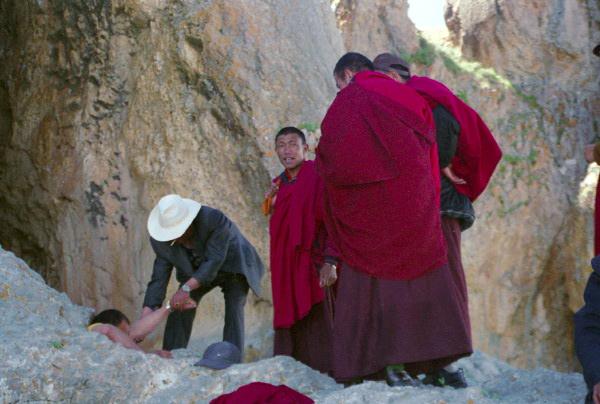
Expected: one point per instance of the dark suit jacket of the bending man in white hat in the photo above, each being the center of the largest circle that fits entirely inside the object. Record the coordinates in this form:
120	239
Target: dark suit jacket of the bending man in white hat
218	246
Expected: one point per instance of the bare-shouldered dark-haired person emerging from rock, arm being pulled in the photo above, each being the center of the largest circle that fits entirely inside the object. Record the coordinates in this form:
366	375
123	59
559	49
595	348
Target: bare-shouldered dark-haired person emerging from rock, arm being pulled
116	326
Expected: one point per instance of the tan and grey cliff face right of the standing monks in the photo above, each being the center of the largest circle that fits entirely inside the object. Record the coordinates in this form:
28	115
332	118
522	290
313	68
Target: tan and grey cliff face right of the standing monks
540	267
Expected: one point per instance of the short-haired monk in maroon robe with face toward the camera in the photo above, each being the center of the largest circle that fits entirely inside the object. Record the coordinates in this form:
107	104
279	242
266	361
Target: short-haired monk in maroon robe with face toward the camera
302	261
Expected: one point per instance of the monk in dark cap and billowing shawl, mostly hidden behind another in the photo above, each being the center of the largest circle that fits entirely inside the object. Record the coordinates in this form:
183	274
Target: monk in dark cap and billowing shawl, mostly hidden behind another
468	155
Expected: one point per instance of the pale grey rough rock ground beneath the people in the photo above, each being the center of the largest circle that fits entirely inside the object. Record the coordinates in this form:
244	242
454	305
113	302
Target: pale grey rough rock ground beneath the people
48	355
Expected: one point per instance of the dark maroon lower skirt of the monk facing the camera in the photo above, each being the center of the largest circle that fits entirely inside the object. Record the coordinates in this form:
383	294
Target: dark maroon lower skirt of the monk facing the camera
309	339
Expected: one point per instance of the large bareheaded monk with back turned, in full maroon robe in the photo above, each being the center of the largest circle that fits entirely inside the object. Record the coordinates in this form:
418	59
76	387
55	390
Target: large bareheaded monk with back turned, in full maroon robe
377	155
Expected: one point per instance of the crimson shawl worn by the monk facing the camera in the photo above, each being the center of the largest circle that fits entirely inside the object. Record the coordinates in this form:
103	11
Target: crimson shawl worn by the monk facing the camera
294	226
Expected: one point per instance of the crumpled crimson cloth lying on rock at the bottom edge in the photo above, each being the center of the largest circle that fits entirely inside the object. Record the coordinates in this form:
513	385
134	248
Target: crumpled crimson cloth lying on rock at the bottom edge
263	393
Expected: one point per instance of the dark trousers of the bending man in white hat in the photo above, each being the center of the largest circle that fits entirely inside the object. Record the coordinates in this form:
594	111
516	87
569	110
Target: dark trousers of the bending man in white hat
235	290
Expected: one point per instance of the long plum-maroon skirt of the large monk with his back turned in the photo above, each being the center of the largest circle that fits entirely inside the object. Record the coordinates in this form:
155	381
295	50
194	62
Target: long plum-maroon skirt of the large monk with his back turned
422	323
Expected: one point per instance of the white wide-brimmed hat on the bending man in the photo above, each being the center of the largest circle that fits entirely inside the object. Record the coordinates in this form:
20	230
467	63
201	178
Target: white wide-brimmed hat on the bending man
171	217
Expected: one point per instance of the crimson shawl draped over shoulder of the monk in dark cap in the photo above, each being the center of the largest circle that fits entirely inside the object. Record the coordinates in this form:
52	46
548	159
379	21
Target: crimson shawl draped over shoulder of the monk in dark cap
477	152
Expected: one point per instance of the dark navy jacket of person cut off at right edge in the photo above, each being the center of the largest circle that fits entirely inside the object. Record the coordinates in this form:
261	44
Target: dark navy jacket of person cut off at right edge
587	328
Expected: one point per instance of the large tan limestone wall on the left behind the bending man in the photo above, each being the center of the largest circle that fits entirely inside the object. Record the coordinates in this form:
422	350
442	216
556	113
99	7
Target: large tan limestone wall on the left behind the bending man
107	106
